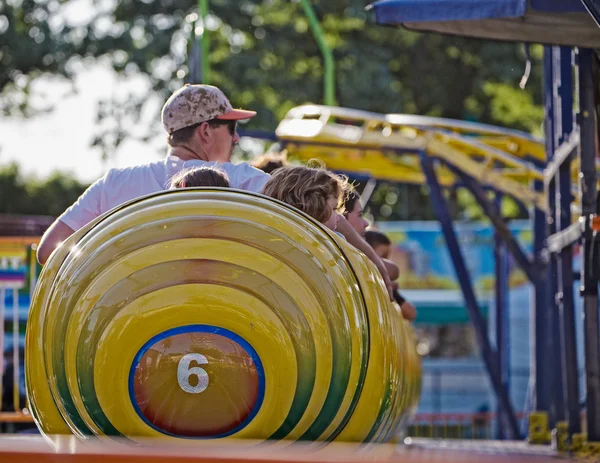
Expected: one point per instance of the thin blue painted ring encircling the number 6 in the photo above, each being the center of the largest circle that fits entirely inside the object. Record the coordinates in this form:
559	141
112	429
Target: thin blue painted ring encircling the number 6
201	329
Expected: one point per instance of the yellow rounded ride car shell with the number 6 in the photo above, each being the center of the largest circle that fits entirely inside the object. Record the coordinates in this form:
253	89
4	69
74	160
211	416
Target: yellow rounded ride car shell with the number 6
214	313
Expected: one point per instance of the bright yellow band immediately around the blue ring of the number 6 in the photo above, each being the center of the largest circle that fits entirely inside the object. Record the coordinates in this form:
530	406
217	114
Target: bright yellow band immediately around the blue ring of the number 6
177	306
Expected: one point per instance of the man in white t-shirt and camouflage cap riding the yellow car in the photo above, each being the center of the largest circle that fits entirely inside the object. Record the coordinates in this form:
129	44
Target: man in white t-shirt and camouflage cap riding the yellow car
201	127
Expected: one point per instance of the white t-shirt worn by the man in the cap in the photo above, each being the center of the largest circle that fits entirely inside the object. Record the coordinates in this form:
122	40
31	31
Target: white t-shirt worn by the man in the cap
121	185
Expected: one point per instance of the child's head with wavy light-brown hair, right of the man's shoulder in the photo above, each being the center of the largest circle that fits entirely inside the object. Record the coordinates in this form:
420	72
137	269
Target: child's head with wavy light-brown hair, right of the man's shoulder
316	192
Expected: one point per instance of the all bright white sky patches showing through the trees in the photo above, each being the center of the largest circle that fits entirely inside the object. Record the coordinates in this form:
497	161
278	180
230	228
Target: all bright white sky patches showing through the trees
61	140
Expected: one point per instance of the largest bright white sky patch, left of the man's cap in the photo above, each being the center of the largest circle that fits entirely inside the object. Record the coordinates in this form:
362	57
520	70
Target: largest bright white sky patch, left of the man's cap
61	139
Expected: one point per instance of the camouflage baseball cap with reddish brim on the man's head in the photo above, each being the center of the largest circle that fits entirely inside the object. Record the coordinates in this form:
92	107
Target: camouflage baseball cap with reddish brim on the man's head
192	104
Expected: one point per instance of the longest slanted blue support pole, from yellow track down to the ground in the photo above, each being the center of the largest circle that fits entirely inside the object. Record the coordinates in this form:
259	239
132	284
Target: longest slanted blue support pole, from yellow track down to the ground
490	357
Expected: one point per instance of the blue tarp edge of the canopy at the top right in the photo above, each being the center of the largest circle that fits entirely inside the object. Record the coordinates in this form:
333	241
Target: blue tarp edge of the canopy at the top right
401	11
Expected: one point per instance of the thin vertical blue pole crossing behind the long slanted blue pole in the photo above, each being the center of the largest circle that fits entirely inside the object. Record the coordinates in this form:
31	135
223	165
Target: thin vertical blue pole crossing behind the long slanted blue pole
502	315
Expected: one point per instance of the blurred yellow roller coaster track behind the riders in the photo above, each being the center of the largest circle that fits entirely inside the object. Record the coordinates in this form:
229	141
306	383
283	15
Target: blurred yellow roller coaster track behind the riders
387	147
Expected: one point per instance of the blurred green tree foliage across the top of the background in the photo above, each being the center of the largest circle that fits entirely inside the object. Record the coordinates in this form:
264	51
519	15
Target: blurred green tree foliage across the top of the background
263	55
